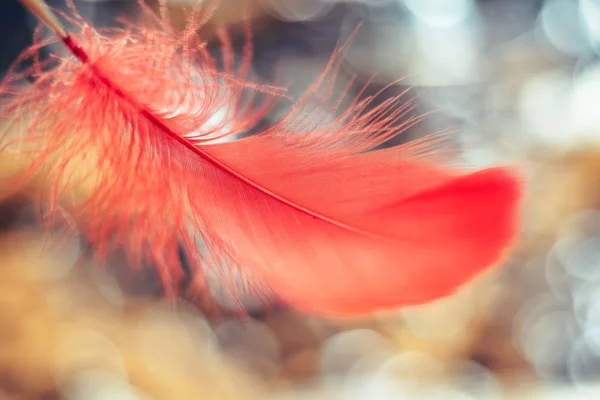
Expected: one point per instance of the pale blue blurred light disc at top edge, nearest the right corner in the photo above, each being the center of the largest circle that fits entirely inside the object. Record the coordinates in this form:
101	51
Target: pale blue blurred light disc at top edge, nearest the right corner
559	22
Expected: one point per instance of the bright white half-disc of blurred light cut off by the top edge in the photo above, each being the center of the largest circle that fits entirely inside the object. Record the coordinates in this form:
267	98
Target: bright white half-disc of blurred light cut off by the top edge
440	13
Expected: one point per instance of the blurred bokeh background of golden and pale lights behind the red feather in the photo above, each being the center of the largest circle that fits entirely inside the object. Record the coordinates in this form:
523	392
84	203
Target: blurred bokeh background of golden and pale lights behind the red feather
517	81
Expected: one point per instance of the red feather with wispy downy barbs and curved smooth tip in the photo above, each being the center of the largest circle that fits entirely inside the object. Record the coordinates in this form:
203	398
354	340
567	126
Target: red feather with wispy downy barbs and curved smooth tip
327	225
